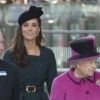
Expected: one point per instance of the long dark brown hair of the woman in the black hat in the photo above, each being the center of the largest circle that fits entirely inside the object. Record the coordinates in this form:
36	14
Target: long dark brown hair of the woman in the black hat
18	51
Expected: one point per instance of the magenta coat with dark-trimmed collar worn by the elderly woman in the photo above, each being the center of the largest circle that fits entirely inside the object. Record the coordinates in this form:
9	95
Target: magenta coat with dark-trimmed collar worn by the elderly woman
67	87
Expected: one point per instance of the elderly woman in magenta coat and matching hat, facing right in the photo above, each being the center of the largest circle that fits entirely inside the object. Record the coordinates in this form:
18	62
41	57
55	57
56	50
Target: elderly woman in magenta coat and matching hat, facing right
82	81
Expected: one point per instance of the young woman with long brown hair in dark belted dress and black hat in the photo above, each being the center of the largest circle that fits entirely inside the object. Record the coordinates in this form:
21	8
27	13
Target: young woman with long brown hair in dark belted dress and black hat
36	63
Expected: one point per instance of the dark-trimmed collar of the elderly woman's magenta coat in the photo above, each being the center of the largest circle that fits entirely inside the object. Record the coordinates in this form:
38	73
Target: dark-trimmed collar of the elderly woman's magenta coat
80	80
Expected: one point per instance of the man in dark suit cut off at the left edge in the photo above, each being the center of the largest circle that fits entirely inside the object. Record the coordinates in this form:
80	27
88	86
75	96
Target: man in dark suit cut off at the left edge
9	80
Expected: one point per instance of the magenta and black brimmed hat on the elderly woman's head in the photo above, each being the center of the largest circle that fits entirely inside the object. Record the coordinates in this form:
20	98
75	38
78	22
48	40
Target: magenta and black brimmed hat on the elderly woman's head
82	49
